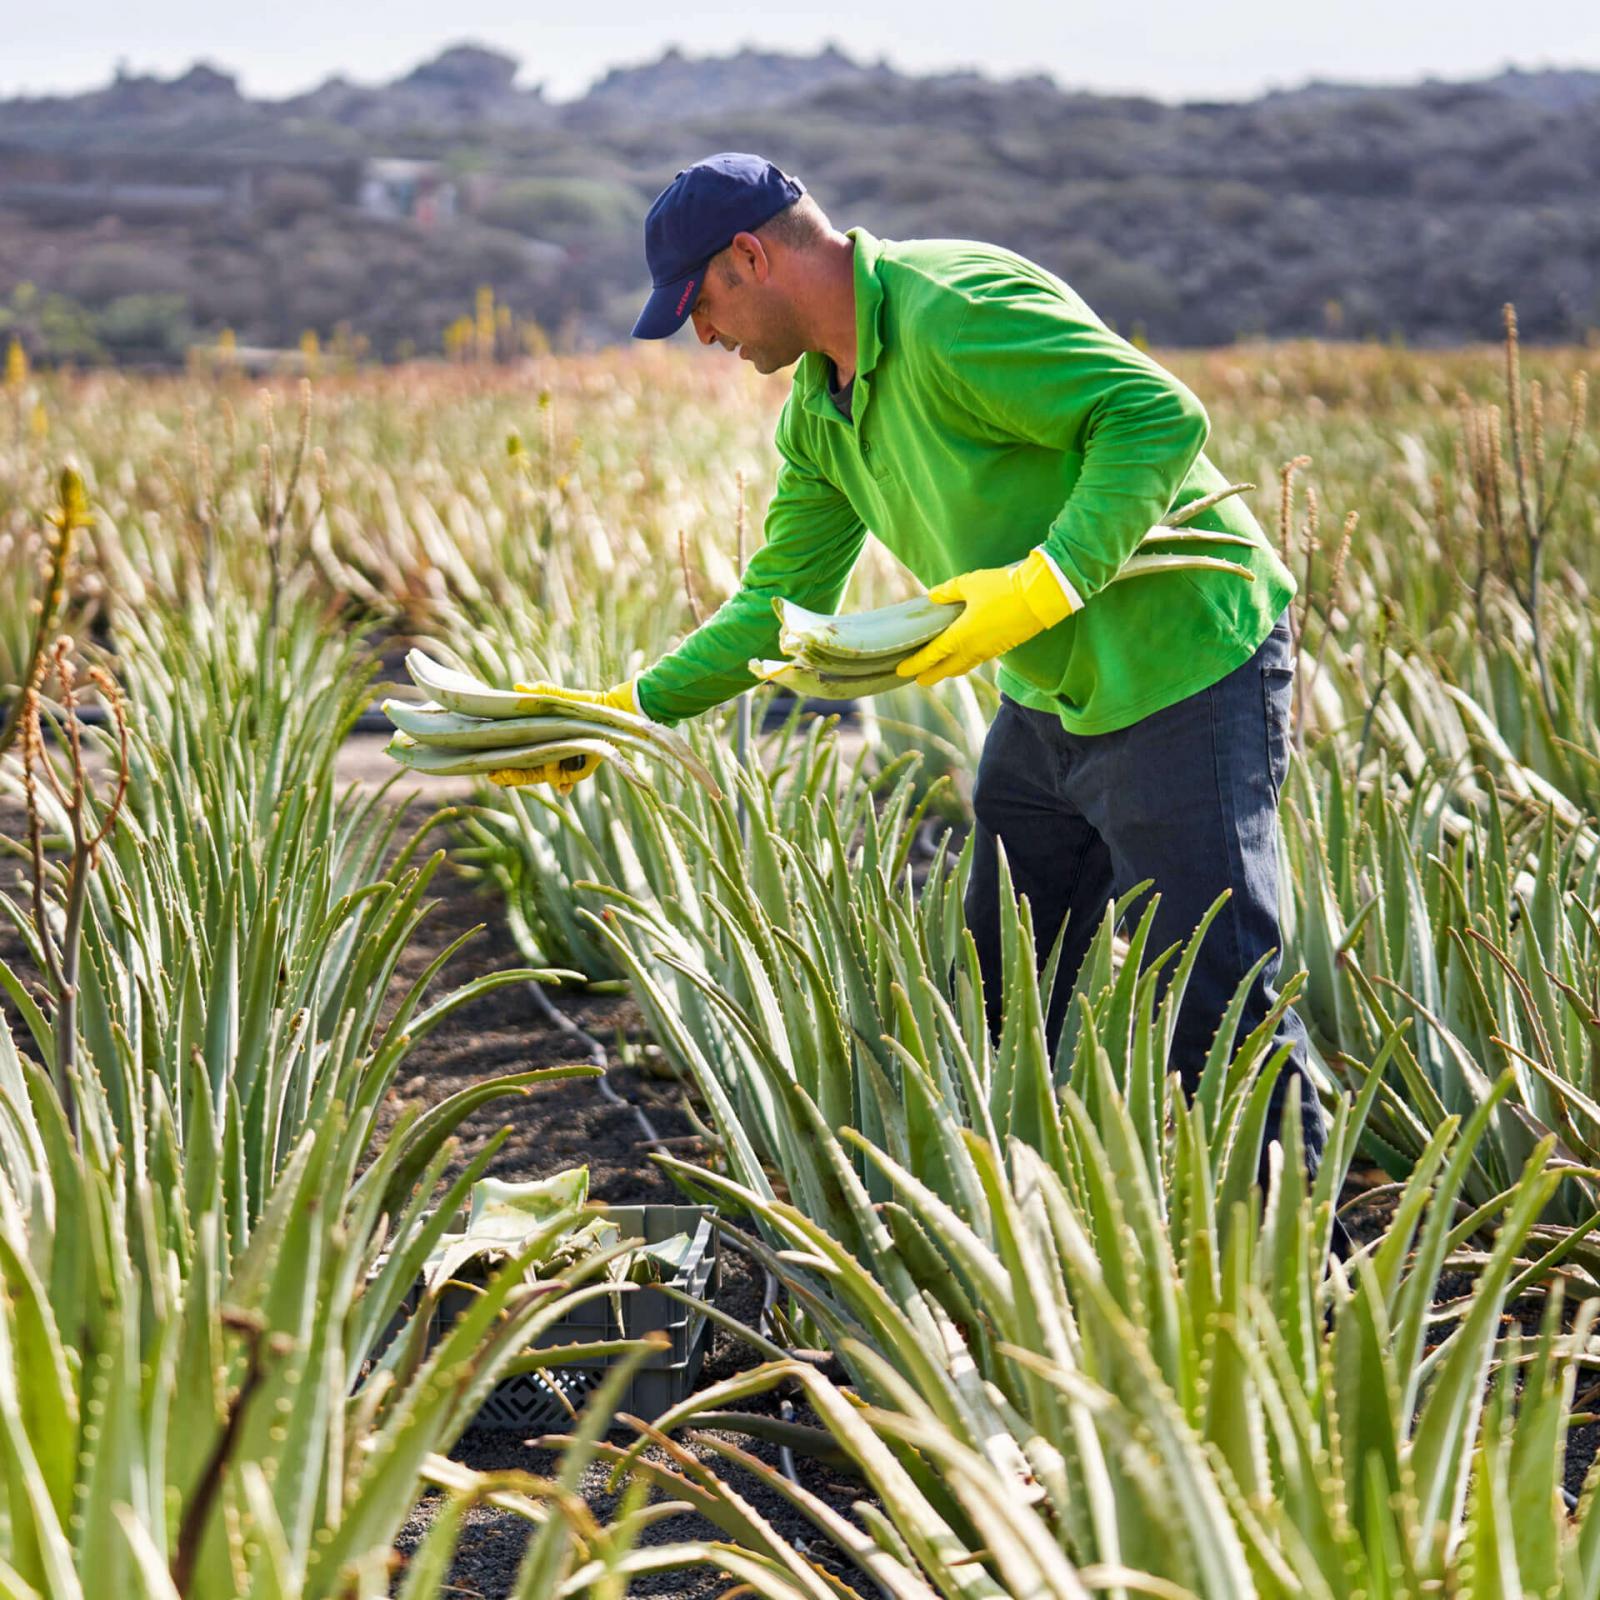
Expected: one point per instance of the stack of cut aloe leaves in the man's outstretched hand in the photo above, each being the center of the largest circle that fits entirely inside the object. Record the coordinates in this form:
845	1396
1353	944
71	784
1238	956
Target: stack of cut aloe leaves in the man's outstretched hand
470	729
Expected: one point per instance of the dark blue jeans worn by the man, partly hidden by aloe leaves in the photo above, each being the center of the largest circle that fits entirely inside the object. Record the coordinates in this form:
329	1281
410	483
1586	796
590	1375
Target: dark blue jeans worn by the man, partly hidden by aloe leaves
1188	798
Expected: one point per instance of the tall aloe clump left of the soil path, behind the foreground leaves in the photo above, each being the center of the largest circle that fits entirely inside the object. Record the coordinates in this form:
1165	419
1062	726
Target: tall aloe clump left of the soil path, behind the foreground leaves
244	926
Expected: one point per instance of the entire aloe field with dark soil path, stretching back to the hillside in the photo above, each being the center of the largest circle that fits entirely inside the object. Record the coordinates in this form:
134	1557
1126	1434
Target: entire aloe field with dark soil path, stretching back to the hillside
318	1073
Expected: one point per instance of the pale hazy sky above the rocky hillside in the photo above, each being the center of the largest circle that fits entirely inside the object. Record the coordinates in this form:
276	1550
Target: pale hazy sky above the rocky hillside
1172	49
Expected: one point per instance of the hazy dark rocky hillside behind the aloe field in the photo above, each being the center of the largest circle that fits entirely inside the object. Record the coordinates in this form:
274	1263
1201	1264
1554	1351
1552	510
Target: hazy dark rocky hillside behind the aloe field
156	212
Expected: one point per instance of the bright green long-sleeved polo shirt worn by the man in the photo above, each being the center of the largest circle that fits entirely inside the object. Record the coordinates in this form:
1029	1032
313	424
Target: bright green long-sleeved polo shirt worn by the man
994	412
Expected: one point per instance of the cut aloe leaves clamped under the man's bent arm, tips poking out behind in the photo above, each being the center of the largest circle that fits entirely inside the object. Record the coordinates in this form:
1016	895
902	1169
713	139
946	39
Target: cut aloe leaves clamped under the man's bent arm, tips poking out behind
858	654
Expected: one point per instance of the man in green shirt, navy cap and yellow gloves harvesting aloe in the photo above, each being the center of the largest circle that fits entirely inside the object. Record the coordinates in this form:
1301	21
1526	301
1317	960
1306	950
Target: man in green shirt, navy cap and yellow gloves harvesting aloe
974	414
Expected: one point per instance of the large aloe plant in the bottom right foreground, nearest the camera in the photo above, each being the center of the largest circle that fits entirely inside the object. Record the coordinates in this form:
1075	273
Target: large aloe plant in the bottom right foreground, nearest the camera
1170	1406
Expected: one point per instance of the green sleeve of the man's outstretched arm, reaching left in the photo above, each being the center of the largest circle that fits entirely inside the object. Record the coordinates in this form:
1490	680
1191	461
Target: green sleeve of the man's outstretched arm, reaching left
812	542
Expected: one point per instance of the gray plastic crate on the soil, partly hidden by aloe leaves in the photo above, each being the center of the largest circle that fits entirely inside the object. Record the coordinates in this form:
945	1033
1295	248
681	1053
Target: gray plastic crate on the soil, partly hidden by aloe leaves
530	1401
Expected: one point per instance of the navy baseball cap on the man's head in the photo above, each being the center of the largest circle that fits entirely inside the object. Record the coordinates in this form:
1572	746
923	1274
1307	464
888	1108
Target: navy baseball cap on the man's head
694	218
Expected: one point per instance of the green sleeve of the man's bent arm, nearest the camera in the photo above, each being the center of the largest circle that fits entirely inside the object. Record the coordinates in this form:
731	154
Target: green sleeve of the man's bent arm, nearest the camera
1036	364
